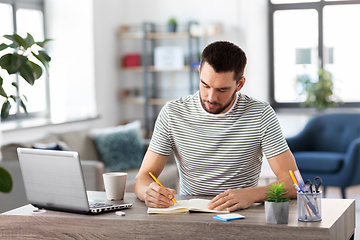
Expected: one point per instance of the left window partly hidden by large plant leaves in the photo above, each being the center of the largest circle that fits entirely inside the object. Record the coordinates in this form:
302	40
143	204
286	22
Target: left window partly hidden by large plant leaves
22	16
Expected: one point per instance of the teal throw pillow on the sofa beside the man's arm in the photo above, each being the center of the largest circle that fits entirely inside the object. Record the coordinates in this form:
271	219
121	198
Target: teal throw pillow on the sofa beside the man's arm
120	147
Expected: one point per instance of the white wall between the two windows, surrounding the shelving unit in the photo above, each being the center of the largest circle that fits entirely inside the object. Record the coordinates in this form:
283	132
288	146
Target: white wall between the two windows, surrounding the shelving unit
95	24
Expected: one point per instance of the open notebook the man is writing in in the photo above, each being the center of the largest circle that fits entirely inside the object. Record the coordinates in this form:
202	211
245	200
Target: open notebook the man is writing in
184	206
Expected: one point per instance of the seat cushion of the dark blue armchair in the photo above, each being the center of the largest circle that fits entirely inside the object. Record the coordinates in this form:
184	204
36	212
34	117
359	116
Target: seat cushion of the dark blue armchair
320	162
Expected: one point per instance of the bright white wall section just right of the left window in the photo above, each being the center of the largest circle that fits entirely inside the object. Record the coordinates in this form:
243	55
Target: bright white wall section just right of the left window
72	76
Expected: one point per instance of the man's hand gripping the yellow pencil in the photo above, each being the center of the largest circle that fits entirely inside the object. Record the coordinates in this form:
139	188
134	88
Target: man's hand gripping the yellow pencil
157	197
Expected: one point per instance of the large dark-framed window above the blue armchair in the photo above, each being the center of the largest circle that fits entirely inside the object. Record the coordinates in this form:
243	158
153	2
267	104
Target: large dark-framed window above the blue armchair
307	35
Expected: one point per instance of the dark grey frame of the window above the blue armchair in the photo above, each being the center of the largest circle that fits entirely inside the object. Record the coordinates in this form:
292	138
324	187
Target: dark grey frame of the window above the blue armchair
319	7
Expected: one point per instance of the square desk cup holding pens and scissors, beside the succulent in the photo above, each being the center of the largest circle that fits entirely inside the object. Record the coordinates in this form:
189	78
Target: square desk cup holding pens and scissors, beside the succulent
309	206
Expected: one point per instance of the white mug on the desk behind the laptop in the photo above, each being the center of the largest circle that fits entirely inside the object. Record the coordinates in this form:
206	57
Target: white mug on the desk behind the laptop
115	183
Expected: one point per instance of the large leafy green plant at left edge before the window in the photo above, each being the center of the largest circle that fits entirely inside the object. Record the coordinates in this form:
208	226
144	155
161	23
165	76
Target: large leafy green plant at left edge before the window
18	59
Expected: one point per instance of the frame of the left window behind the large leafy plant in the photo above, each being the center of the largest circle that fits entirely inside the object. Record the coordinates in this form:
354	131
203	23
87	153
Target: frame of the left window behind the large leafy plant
33	5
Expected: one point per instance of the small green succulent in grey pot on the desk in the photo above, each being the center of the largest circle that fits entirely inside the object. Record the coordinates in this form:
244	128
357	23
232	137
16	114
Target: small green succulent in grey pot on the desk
277	205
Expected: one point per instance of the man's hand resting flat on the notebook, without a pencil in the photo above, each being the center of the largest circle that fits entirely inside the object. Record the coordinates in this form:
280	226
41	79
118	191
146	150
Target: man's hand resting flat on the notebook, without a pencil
233	199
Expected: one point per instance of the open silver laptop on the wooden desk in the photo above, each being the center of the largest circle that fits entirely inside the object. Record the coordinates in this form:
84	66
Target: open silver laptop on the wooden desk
54	180
